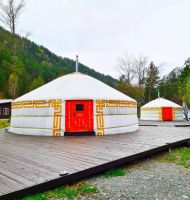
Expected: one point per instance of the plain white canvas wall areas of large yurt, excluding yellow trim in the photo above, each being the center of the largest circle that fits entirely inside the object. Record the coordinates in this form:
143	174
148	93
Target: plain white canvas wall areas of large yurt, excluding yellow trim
39	121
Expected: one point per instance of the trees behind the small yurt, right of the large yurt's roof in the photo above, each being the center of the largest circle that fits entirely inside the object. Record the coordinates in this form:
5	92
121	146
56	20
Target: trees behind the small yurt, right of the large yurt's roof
143	80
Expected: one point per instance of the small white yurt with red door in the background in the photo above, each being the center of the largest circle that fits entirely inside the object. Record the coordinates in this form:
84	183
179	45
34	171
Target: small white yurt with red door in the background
161	109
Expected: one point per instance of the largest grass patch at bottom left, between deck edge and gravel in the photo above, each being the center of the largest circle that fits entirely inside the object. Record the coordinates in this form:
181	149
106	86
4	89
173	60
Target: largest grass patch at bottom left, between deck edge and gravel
69	192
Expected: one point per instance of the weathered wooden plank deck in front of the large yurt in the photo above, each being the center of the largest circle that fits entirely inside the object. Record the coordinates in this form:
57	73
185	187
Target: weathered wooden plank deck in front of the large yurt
30	164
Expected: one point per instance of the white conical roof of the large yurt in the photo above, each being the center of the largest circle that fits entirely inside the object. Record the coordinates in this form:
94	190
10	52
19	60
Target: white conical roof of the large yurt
75	86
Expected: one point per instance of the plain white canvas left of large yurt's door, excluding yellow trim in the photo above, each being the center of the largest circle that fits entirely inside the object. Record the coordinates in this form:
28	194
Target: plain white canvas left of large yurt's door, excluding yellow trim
35	121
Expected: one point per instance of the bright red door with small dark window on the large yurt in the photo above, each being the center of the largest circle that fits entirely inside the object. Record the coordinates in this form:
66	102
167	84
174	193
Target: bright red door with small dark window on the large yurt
79	116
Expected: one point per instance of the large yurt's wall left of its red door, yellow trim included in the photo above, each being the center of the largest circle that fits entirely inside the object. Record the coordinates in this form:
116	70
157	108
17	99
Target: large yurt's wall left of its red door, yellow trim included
38	117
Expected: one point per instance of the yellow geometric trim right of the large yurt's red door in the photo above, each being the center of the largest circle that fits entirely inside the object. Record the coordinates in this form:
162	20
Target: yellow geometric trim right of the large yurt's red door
101	104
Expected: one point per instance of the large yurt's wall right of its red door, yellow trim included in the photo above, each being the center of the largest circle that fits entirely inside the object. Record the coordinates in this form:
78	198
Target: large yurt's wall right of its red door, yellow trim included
116	116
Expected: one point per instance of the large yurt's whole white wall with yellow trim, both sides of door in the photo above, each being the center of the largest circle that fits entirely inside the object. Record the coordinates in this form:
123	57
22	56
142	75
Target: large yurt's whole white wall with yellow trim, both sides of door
47	117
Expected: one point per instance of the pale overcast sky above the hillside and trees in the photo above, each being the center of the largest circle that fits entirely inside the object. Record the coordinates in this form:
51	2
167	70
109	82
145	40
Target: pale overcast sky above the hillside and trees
101	30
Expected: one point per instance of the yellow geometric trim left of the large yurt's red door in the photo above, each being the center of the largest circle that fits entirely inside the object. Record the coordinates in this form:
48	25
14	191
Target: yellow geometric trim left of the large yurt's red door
54	103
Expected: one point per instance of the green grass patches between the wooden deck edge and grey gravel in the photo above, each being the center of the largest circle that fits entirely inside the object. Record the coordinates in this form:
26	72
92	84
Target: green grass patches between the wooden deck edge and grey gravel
180	155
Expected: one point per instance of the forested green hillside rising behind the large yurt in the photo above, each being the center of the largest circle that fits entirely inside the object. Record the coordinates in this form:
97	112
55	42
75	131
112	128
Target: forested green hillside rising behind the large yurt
36	65
